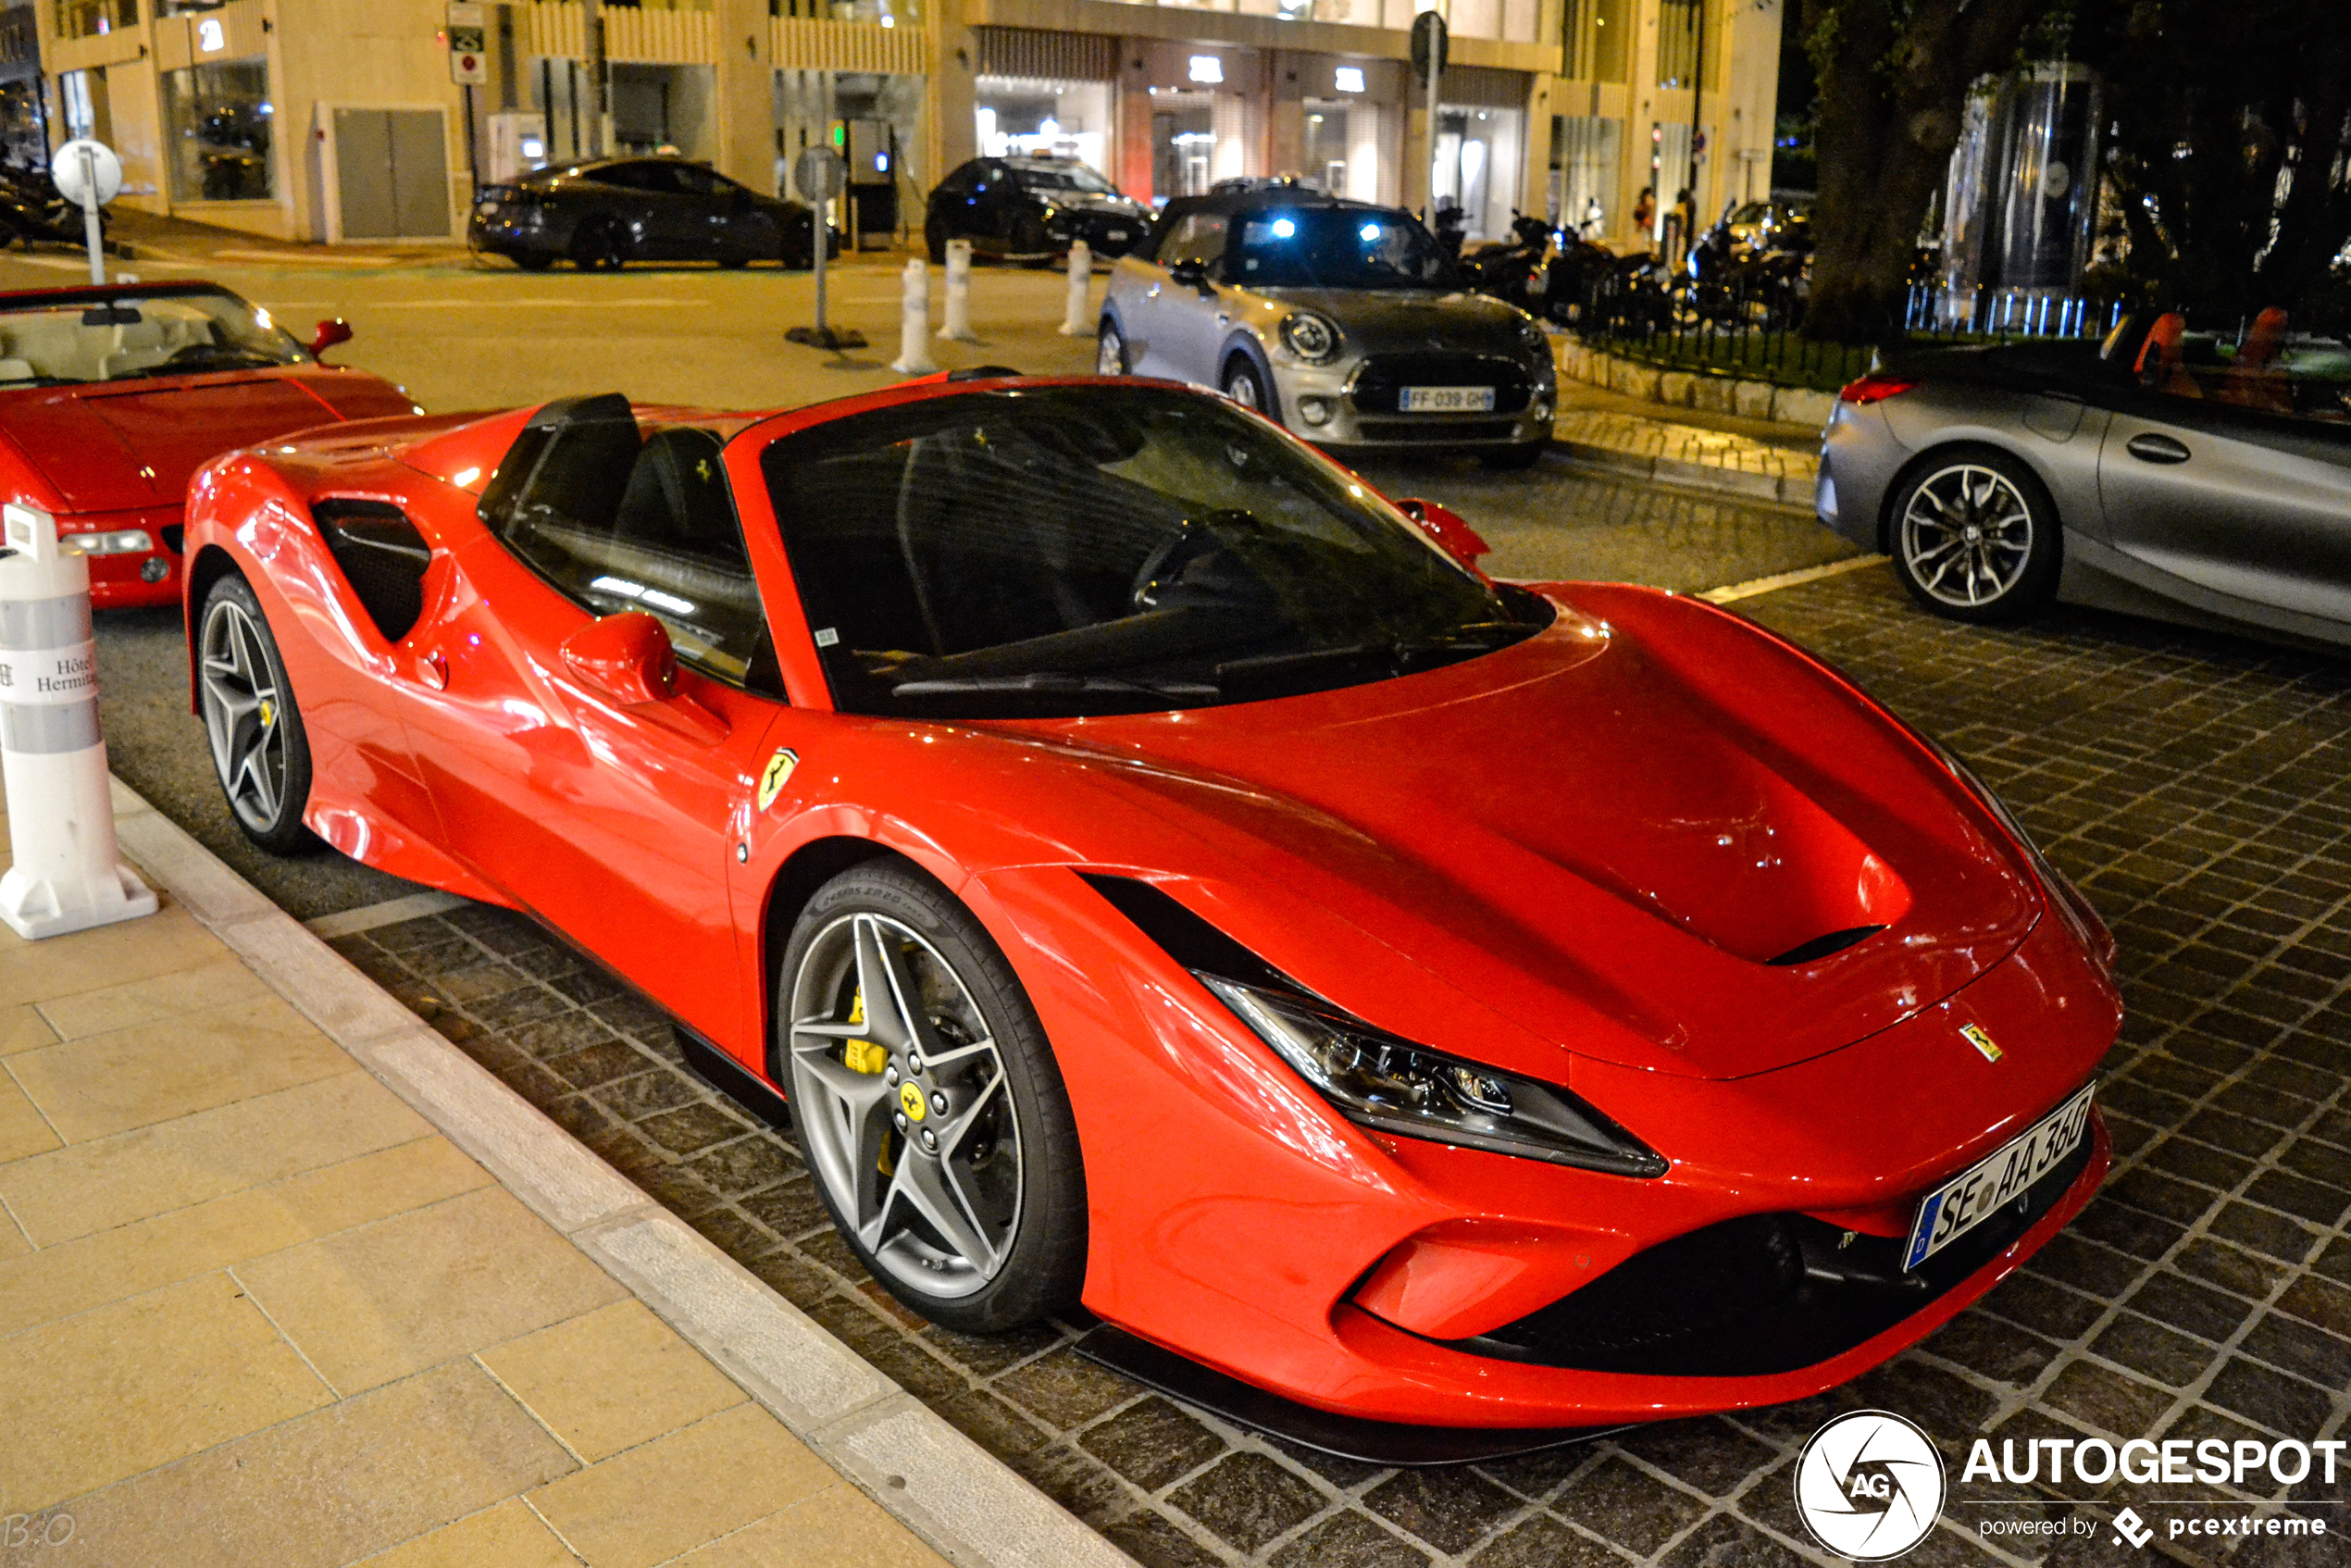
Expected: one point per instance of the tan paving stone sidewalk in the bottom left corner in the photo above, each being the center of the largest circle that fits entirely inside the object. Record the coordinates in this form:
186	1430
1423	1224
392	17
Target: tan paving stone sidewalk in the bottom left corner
255	1311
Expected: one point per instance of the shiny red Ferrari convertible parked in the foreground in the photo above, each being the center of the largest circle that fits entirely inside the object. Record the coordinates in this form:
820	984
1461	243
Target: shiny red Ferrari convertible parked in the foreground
1163	878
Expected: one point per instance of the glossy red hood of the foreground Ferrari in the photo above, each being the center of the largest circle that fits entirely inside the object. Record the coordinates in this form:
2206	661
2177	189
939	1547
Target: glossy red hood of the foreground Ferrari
1595	838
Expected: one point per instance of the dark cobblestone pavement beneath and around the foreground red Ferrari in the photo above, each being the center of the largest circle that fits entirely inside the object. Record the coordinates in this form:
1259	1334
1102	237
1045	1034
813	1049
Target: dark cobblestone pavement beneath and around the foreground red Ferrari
2199	789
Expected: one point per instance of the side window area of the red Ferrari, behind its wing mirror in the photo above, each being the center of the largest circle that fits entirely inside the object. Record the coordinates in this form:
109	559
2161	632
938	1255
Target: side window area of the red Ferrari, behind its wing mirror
622	521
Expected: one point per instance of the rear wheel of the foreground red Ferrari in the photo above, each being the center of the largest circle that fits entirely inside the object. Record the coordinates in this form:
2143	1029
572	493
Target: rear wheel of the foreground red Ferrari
253	723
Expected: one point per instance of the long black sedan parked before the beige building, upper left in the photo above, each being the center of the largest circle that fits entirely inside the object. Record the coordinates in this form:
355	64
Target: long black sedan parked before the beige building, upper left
612	210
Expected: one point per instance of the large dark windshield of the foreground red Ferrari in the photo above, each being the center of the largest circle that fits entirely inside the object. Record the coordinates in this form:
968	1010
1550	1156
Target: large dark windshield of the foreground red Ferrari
1064	551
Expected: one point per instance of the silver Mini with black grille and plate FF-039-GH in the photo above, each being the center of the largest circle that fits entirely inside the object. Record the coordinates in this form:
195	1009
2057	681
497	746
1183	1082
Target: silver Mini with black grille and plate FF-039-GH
1341	321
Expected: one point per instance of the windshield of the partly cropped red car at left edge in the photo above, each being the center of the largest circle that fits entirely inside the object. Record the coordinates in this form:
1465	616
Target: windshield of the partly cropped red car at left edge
130	335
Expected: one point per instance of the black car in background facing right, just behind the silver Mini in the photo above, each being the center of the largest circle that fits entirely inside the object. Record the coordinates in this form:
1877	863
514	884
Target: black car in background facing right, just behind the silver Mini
1033	210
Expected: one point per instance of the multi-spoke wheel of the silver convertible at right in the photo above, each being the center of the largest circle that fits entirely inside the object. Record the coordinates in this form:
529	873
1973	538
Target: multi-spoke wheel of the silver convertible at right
1983	516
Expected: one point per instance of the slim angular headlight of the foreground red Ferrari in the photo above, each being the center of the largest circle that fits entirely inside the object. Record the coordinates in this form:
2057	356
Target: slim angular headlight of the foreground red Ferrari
1398	1087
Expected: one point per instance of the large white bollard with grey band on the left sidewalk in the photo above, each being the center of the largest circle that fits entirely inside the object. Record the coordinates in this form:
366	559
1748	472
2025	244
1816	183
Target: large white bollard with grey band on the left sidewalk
67	873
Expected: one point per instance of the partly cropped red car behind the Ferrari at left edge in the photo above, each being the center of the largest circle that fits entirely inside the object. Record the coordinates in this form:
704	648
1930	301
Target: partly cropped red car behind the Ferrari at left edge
112	396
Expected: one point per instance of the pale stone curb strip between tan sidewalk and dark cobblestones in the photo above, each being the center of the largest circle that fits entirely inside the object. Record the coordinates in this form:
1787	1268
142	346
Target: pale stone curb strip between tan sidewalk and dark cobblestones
946	1489
